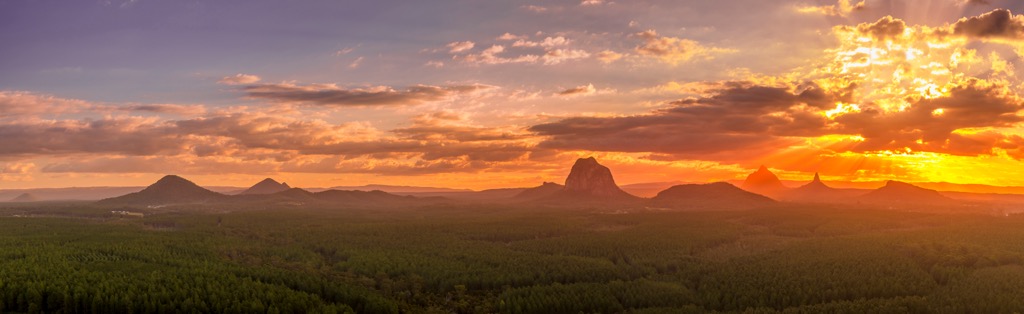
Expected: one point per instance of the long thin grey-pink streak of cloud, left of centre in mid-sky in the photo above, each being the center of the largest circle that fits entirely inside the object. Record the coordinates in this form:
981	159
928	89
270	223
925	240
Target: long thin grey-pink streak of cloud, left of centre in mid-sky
332	96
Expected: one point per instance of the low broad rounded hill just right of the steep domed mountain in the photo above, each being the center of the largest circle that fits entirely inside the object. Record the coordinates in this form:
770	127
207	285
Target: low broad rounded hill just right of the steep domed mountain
711	197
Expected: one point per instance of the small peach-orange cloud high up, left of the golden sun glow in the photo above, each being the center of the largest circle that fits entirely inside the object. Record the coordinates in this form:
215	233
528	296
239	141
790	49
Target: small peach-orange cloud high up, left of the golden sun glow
673	51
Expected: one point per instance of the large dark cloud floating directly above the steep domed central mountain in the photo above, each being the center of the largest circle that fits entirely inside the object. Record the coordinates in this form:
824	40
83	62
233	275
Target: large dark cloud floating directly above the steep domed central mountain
740	117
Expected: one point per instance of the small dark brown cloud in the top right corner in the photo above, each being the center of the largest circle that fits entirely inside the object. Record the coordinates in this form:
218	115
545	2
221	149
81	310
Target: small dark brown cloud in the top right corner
999	24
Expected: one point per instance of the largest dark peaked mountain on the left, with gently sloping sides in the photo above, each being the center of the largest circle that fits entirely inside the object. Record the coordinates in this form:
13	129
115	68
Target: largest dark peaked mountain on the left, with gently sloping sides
169	191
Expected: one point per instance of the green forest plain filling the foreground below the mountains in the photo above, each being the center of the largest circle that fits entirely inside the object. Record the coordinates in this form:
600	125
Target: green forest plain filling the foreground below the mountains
78	258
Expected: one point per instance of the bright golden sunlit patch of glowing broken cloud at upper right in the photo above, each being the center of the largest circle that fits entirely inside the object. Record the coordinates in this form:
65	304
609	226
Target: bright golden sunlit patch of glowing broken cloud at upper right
891	70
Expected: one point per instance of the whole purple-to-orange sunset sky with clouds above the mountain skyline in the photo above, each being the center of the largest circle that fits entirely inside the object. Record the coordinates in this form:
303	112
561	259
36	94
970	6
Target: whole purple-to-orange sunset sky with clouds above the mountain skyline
486	95
